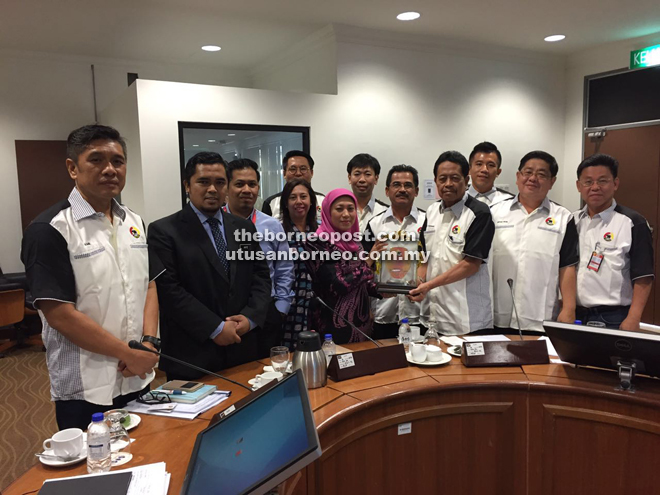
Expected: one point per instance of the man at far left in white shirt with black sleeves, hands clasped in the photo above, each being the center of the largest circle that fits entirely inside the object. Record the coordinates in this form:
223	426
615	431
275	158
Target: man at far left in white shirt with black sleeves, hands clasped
88	268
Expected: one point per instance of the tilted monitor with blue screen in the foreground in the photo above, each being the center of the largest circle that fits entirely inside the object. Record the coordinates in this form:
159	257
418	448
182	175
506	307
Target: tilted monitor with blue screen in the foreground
266	439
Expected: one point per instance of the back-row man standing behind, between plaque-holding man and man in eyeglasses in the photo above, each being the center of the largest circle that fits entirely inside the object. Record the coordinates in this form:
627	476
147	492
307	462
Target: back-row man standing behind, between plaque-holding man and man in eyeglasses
485	167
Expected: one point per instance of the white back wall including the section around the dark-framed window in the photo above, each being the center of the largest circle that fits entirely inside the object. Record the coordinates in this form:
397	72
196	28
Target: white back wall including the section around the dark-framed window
402	106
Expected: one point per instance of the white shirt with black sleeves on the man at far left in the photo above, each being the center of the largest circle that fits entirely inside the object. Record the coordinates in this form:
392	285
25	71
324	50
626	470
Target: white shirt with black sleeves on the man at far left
75	255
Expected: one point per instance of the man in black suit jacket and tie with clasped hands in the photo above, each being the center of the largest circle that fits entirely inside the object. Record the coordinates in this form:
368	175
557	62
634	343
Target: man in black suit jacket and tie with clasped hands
208	304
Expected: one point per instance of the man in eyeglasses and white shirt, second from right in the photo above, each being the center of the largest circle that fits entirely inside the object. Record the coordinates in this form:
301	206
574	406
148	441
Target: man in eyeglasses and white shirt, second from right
536	246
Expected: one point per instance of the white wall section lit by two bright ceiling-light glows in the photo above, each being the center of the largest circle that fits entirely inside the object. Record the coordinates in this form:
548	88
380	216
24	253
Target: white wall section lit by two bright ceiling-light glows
407	106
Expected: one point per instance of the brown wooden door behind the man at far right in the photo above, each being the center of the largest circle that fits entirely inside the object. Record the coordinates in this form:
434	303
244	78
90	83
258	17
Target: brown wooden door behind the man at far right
638	152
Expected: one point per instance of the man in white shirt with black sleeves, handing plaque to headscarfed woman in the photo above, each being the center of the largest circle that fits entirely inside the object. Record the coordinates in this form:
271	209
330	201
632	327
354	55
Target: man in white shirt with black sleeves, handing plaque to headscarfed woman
455	284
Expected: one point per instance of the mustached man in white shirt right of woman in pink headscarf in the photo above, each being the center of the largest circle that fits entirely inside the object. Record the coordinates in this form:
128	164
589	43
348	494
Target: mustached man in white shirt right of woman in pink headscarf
401	187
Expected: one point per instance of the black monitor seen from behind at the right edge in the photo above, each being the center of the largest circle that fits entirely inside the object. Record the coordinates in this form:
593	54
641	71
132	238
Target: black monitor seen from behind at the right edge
628	353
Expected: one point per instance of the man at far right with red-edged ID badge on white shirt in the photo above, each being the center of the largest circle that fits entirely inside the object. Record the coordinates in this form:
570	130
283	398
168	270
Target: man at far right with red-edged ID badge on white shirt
613	286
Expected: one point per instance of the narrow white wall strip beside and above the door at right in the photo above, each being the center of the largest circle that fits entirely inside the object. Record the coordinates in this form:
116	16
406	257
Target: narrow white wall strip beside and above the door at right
597	60
